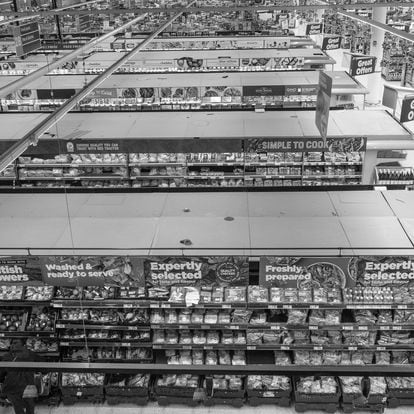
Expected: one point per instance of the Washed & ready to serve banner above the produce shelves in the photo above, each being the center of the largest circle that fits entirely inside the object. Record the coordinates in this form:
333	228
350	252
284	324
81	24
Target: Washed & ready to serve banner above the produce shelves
92	271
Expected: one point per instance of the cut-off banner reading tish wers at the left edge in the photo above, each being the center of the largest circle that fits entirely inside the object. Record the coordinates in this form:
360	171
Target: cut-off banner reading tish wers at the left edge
20	270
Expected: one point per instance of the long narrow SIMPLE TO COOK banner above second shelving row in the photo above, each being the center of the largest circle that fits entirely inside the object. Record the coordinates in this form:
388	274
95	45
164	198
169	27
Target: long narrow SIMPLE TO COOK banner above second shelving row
343	144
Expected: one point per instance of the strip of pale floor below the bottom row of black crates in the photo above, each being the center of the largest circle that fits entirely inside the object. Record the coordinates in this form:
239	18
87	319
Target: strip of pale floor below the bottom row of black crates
153	408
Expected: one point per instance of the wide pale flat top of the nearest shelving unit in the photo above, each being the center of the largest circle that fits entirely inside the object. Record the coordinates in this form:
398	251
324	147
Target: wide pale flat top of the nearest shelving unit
317	223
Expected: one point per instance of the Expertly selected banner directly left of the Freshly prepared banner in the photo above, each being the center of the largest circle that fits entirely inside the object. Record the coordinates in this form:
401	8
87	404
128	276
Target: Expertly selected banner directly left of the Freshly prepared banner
196	271
